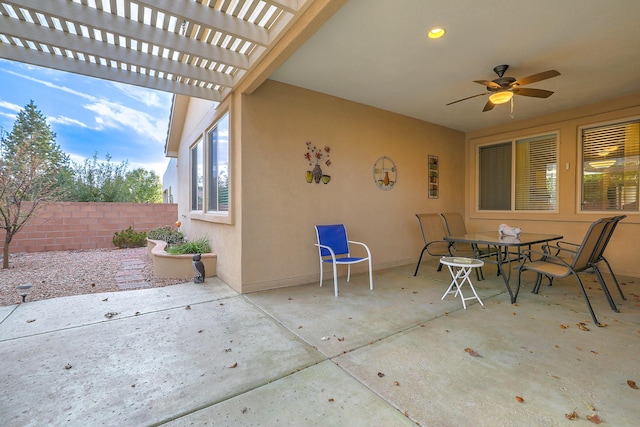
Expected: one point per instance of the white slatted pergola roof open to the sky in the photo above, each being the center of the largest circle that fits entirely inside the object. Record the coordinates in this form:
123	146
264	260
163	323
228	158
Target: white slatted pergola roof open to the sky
199	48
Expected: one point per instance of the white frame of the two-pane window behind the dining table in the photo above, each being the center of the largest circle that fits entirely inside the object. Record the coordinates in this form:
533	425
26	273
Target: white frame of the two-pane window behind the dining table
513	143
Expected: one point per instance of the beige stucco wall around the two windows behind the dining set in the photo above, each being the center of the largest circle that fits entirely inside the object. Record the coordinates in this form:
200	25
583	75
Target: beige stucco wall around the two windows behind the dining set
569	221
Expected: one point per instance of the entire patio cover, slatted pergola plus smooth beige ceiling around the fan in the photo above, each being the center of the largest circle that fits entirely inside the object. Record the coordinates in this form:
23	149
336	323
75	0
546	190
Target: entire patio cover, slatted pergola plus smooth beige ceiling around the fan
374	52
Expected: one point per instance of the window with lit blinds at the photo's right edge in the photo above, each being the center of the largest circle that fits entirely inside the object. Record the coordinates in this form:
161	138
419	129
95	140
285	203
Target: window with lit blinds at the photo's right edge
610	166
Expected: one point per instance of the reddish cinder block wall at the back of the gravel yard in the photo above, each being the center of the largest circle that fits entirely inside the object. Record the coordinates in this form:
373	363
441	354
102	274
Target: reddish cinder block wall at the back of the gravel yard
72	226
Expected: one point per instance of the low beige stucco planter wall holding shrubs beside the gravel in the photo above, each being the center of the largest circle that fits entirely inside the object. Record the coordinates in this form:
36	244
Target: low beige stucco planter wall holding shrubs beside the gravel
177	266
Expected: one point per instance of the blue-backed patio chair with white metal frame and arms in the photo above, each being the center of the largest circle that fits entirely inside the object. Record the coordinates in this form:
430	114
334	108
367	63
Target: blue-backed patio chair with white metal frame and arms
333	248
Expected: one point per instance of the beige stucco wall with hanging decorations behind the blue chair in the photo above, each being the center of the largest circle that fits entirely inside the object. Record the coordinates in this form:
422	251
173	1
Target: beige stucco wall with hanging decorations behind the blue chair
279	208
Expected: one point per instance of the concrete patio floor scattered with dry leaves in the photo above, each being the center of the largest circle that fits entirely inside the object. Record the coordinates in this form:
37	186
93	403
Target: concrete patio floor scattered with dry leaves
191	354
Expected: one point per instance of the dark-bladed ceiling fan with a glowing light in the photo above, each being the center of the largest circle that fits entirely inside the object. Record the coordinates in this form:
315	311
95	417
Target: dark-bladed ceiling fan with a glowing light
502	89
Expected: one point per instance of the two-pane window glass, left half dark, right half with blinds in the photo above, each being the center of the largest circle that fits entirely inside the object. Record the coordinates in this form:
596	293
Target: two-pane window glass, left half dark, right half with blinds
525	181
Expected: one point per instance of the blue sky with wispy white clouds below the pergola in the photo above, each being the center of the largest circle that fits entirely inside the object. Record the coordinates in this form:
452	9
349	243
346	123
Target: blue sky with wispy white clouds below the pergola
88	115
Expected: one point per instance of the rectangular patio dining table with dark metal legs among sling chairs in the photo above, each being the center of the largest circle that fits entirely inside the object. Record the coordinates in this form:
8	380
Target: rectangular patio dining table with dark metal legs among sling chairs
508	249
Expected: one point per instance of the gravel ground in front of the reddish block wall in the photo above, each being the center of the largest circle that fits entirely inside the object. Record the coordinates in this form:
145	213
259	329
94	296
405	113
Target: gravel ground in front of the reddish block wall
65	273
